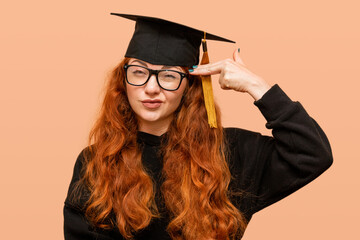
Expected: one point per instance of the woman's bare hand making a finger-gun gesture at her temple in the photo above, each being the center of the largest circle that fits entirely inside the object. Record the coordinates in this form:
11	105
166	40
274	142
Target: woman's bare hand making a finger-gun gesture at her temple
234	75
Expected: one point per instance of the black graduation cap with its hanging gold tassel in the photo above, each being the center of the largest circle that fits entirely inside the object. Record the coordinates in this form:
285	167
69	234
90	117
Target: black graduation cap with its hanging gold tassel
162	42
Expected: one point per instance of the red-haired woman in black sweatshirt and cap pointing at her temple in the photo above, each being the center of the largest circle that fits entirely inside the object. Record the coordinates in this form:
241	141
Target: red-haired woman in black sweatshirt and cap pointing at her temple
154	169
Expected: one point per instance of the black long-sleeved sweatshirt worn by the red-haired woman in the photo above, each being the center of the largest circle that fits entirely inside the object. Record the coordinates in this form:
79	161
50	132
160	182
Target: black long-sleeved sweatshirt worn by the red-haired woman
268	168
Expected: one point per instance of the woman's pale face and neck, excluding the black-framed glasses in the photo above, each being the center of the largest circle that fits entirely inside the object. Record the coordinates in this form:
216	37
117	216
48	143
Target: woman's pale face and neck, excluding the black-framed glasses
154	106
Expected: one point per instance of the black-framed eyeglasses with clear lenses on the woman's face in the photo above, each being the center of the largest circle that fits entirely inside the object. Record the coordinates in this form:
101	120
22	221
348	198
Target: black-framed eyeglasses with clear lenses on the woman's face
169	80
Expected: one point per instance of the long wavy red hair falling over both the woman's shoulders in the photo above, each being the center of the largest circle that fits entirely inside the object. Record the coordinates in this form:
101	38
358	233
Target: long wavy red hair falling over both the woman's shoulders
196	173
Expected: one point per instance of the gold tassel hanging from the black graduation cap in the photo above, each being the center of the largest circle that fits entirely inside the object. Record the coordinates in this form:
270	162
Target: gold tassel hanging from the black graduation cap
207	89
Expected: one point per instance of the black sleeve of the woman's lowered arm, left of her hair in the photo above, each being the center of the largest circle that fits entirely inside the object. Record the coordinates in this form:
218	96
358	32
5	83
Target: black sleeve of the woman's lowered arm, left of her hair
76	227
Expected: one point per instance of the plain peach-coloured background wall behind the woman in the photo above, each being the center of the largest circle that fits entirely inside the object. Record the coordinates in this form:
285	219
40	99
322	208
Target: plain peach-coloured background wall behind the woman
54	56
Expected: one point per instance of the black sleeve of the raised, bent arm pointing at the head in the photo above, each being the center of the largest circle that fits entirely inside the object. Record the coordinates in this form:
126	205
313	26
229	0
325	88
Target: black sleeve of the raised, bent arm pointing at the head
271	168
